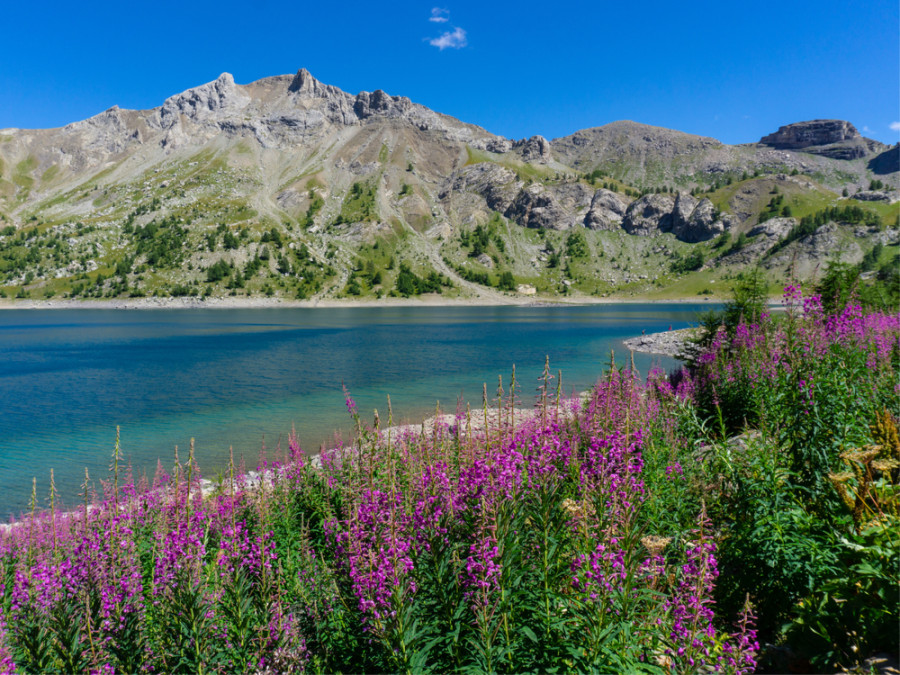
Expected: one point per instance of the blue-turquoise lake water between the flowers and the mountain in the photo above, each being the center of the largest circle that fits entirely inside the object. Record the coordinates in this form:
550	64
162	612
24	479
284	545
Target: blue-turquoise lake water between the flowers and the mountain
243	377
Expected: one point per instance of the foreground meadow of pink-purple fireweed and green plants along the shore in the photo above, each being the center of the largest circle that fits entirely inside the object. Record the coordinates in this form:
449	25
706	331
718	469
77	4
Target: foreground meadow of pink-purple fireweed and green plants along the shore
717	519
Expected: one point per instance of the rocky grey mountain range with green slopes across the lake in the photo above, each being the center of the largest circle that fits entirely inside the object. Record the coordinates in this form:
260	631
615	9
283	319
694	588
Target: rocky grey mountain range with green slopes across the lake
292	188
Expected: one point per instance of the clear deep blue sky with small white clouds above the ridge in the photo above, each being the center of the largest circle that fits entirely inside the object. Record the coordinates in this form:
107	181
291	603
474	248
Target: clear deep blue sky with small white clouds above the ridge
734	71
